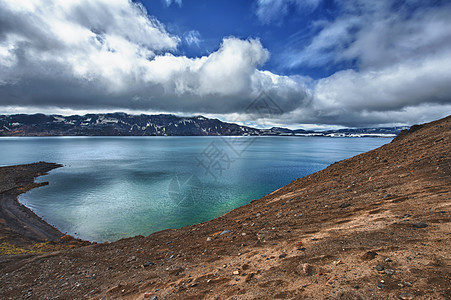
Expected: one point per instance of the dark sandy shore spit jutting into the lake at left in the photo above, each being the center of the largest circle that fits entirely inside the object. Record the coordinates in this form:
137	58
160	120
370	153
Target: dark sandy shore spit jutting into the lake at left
18	224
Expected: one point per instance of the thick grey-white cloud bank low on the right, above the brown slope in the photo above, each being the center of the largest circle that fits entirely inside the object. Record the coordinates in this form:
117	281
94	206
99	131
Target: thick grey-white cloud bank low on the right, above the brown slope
411	91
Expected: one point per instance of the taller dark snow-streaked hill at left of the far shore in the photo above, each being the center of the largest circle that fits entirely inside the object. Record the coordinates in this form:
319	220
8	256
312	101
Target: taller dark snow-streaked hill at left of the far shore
117	124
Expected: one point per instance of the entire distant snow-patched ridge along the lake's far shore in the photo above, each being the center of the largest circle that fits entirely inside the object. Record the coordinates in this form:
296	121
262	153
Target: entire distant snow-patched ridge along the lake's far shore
122	124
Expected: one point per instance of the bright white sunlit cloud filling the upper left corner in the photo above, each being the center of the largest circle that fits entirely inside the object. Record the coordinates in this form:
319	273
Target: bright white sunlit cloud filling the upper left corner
78	36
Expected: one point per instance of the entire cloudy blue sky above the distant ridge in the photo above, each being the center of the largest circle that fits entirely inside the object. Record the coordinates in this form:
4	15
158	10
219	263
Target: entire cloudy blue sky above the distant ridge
323	63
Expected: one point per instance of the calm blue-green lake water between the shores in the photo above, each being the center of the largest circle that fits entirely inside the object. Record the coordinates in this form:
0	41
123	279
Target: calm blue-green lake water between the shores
116	187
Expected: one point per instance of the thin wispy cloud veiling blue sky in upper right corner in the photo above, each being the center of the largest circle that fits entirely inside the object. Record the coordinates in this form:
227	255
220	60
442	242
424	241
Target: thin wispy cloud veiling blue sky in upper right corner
376	35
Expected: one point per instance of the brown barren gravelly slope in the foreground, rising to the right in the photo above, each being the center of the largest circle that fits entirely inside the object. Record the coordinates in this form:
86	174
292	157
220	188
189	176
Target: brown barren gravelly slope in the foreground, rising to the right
376	226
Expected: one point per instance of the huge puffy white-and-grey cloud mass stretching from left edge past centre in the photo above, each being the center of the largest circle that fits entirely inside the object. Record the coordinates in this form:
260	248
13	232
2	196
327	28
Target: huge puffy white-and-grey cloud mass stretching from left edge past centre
111	54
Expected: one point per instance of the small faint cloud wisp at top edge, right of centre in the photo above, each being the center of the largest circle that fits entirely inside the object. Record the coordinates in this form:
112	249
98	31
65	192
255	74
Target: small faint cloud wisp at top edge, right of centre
269	11
